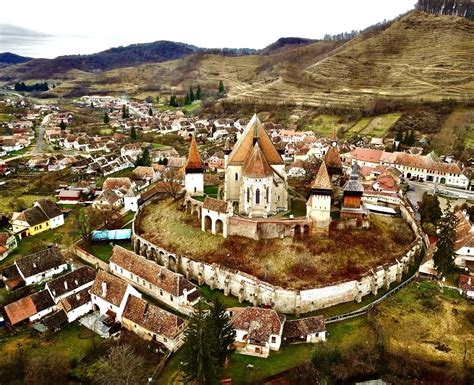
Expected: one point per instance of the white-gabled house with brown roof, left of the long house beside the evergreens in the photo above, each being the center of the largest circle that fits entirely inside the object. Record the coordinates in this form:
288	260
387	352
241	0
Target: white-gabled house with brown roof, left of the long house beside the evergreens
109	295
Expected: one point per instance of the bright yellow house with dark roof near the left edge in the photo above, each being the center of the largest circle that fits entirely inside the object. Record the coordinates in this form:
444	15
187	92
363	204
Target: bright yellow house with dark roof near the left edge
44	215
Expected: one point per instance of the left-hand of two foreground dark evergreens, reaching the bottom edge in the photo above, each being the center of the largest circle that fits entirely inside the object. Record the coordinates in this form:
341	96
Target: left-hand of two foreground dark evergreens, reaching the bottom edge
199	364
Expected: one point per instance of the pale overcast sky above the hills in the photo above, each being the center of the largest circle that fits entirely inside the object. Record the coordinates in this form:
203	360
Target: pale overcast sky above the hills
49	28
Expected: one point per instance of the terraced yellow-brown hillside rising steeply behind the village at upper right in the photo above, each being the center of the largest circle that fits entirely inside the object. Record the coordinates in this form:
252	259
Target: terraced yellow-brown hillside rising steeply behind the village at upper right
417	56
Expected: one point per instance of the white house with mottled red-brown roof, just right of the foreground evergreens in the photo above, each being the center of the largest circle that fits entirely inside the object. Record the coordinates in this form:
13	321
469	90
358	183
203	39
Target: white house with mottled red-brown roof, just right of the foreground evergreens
257	330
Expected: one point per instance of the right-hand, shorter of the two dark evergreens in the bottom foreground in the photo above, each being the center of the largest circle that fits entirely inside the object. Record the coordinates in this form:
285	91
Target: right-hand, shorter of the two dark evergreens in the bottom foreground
222	331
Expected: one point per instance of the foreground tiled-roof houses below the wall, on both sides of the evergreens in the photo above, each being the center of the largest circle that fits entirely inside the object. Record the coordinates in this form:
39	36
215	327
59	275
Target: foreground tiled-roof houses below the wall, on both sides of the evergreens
114	299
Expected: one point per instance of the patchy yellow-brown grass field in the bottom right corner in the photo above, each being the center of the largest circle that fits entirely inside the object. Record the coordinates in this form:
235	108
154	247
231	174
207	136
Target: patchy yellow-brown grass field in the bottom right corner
444	323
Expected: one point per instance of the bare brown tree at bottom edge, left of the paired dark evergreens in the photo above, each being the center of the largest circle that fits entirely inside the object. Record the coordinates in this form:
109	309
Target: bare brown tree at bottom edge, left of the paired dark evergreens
122	366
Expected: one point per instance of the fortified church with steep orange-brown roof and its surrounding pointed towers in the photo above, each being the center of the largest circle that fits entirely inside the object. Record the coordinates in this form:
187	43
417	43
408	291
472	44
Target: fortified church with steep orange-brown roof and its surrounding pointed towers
255	192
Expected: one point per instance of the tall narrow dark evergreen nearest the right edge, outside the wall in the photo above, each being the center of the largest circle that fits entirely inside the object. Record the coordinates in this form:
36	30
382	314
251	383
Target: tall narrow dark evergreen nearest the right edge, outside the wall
444	255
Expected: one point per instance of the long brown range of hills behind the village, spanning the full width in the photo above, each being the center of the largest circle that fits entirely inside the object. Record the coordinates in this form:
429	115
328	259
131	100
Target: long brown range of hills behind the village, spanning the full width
419	56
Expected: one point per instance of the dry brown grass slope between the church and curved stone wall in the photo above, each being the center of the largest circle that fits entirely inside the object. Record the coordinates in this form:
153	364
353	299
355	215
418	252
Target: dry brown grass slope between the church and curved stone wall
291	263
